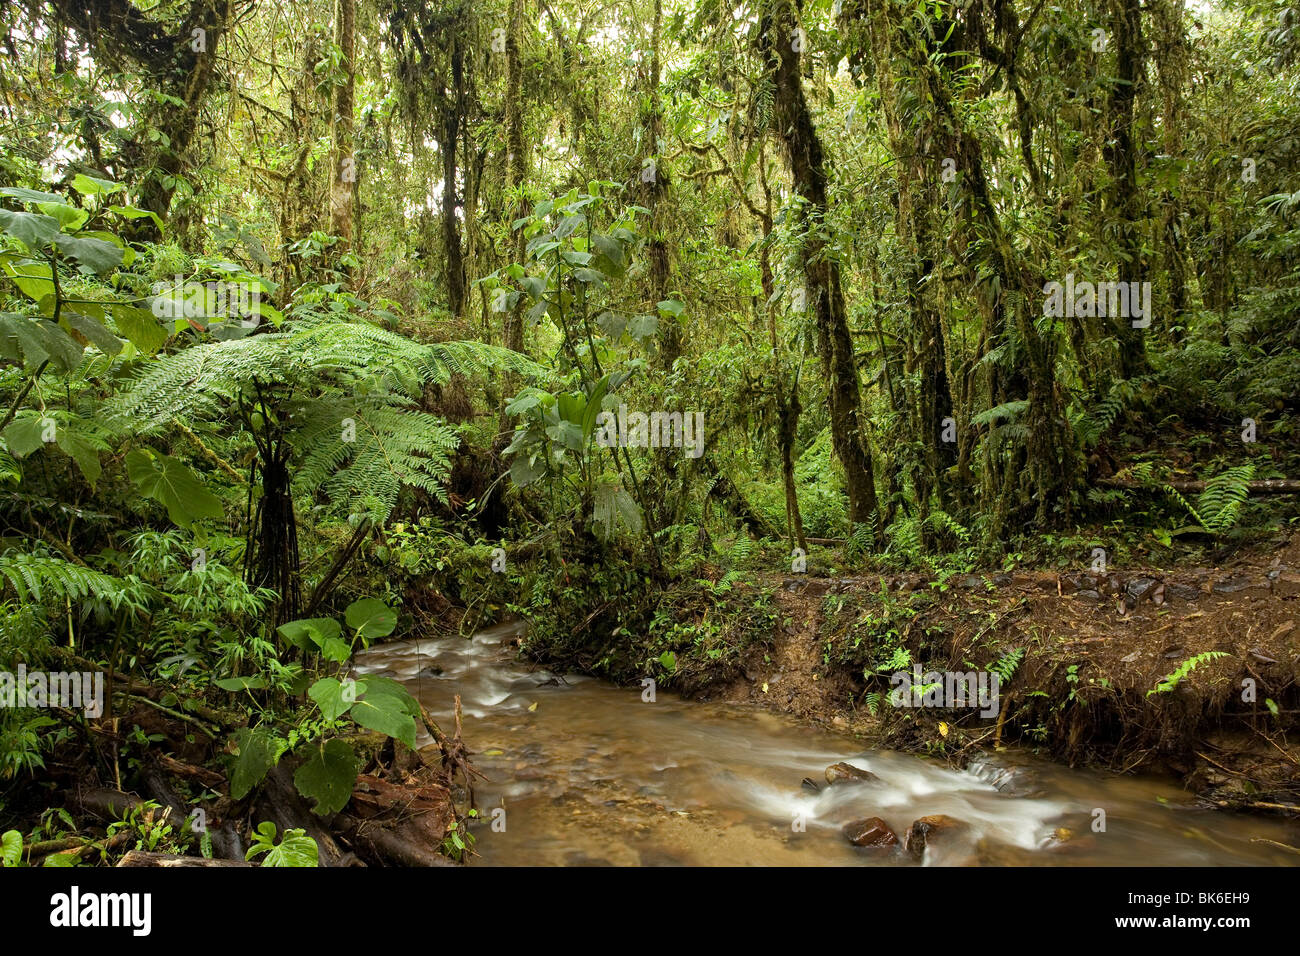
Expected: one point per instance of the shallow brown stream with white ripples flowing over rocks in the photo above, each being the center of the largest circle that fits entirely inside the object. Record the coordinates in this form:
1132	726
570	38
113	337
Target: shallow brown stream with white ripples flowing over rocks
591	775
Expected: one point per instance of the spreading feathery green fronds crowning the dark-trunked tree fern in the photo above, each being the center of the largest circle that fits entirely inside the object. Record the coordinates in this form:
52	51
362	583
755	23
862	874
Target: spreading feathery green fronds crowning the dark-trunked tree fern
349	388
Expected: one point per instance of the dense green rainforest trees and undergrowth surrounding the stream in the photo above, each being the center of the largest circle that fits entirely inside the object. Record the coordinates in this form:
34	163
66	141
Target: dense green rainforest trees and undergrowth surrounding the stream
330	322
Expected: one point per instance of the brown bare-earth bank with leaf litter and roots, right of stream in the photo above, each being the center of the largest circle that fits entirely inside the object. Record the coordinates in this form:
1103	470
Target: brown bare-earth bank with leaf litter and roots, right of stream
1097	647
